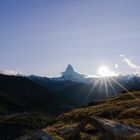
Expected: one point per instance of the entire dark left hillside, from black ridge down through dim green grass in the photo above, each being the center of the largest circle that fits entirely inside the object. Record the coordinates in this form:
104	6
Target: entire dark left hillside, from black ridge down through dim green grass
25	106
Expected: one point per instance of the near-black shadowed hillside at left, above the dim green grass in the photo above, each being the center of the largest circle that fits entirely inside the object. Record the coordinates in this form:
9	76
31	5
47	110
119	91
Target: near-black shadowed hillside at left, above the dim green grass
18	94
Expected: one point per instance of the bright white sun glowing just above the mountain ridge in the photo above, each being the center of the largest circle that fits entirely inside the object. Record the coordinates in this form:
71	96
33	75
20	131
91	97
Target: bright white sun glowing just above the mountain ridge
104	71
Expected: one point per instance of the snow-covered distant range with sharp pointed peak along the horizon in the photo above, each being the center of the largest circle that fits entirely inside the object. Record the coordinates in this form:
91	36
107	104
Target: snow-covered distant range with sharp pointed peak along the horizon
71	75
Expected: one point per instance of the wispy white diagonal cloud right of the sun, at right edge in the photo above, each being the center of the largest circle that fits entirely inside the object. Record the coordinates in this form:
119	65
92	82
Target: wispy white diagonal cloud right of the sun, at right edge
130	63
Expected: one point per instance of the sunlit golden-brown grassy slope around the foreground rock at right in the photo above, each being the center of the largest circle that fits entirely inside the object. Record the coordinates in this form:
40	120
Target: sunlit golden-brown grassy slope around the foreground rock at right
123	108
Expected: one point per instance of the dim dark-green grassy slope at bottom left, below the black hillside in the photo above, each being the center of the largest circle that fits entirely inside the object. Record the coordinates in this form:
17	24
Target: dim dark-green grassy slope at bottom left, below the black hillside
19	124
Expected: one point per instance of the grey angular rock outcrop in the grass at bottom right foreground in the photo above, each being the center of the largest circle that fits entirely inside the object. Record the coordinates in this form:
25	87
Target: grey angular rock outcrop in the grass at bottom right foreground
109	129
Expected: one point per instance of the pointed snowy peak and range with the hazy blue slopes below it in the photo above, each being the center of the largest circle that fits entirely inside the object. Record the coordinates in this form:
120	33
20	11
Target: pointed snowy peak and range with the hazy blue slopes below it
79	90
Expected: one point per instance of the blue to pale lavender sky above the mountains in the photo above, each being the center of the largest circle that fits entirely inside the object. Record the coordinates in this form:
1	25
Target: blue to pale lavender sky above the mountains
43	36
